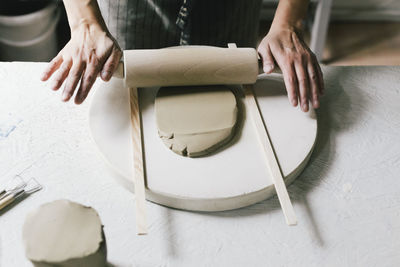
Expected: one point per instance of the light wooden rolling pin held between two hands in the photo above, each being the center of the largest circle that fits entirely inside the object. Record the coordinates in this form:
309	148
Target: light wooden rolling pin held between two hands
191	65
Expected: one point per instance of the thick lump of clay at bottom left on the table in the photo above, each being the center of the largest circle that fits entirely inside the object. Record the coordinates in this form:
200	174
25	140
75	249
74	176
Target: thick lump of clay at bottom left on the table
64	233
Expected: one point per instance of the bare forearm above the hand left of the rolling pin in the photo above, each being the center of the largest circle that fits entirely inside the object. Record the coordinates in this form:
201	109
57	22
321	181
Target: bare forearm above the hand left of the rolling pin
84	12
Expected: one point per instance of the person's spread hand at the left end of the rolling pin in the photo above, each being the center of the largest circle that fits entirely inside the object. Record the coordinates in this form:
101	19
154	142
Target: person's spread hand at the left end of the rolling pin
90	52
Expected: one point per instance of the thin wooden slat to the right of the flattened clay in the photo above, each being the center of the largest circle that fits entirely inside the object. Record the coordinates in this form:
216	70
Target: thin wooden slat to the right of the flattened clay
268	150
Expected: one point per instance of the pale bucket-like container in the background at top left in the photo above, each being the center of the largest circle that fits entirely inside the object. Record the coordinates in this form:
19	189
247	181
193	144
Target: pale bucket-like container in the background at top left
28	30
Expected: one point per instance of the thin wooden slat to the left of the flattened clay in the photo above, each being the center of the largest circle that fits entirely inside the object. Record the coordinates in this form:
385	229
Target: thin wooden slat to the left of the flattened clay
138	178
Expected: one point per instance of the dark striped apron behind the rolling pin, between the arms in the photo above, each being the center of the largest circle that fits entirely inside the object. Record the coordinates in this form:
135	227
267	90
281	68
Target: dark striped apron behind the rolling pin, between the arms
143	24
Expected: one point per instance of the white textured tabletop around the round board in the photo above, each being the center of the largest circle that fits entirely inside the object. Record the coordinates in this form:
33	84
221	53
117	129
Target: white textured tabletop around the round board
347	199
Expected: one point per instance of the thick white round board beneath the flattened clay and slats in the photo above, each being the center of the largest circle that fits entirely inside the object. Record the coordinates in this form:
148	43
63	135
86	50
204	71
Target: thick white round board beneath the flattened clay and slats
234	177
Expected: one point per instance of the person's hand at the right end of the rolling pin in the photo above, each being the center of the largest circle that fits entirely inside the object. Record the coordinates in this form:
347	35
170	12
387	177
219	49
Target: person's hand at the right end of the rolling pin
302	74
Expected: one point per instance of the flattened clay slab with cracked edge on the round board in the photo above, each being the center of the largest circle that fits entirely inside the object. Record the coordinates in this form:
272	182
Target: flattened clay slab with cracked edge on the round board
195	120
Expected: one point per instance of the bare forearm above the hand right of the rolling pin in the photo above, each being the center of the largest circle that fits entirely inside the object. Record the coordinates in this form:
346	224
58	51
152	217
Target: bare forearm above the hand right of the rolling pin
290	13
